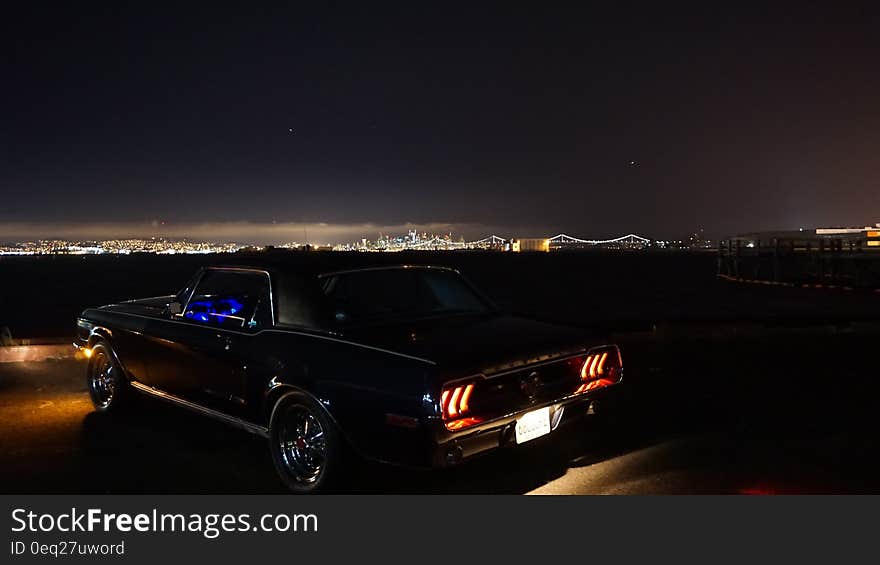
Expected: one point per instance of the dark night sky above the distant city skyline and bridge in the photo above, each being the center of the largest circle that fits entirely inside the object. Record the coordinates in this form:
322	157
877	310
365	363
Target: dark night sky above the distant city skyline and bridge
735	118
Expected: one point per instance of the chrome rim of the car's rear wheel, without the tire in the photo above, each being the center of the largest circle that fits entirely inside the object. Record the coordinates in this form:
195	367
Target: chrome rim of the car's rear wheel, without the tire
302	444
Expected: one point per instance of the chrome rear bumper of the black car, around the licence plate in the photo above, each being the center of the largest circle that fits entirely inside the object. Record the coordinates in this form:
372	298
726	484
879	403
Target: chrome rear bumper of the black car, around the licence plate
454	448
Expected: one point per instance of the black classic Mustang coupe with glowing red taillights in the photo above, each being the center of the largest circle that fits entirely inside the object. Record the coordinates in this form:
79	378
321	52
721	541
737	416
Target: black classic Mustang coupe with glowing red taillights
405	364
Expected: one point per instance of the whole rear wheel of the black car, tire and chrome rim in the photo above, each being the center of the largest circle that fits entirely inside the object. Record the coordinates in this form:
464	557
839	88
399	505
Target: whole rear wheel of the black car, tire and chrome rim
308	459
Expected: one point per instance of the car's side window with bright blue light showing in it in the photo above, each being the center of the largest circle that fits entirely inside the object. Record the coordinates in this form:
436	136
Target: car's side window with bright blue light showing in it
231	299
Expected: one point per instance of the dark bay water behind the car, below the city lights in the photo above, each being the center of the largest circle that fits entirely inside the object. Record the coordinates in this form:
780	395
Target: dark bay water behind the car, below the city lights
41	296
